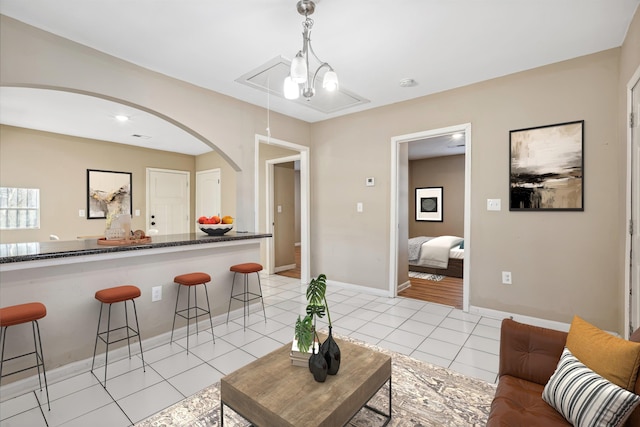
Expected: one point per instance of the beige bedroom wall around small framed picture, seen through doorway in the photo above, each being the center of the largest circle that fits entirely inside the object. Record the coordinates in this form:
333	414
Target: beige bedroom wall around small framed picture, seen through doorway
448	173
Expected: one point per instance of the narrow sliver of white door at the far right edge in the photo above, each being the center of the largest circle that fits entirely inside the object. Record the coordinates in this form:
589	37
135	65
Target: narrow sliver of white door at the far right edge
635	206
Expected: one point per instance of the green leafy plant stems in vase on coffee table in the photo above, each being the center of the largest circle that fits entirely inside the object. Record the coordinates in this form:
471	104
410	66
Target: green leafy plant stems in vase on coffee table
305	329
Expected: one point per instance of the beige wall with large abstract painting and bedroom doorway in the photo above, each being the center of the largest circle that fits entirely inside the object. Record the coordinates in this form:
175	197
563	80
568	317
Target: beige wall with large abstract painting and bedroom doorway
543	250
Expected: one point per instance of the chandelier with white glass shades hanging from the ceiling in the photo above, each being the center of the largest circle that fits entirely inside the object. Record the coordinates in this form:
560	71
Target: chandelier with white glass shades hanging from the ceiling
301	79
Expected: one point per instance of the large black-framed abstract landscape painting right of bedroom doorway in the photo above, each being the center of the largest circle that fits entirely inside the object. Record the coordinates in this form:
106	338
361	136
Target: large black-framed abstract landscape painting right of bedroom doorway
546	168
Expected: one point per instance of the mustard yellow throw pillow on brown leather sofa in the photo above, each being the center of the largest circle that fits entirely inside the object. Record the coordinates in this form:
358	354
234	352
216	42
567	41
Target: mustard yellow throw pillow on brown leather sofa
613	358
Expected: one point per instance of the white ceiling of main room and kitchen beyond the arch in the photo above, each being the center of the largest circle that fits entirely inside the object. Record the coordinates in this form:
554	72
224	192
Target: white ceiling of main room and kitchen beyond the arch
442	44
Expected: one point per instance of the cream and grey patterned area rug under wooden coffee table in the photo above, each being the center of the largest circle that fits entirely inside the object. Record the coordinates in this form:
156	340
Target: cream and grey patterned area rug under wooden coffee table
422	395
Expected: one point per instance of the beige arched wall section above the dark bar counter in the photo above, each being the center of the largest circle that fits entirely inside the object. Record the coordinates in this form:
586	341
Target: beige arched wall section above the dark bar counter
34	58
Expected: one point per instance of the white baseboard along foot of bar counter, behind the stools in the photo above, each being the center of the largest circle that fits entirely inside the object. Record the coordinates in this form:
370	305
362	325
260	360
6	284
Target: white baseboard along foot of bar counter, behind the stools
20	387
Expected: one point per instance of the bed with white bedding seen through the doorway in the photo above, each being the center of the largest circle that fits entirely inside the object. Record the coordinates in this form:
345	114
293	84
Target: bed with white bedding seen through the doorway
442	255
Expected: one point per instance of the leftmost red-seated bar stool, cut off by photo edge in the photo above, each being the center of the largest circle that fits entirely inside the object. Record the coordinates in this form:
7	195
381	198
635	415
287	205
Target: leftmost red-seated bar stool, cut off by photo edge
19	314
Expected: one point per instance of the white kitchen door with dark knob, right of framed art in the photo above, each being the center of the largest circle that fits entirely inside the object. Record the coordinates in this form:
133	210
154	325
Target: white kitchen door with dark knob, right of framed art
168	201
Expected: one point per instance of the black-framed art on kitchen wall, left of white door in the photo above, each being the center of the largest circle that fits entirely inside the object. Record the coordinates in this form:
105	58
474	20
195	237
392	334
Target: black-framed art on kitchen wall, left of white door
108	193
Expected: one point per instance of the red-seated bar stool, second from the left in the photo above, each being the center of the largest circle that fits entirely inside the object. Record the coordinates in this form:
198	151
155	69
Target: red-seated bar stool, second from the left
112	296
